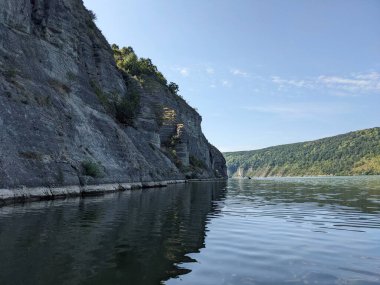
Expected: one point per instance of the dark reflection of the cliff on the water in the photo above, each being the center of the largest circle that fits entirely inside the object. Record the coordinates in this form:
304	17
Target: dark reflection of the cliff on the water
130	238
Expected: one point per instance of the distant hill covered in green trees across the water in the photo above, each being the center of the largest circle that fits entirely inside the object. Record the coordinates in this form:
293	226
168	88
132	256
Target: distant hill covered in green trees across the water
354	153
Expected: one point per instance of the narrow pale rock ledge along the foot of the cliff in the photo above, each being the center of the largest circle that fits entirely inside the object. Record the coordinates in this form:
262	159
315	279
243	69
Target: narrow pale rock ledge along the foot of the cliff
29	194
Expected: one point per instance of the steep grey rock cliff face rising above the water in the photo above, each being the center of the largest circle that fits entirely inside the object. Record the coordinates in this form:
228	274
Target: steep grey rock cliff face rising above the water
54	130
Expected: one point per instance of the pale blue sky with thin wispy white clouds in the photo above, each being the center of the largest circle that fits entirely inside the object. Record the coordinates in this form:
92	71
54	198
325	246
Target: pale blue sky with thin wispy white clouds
260	73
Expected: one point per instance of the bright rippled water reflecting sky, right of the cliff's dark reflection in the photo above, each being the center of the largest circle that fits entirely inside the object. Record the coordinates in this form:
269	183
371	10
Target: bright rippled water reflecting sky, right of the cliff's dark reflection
293	231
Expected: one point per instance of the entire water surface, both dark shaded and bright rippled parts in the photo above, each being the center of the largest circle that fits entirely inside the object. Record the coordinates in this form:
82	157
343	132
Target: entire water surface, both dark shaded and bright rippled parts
264	231
